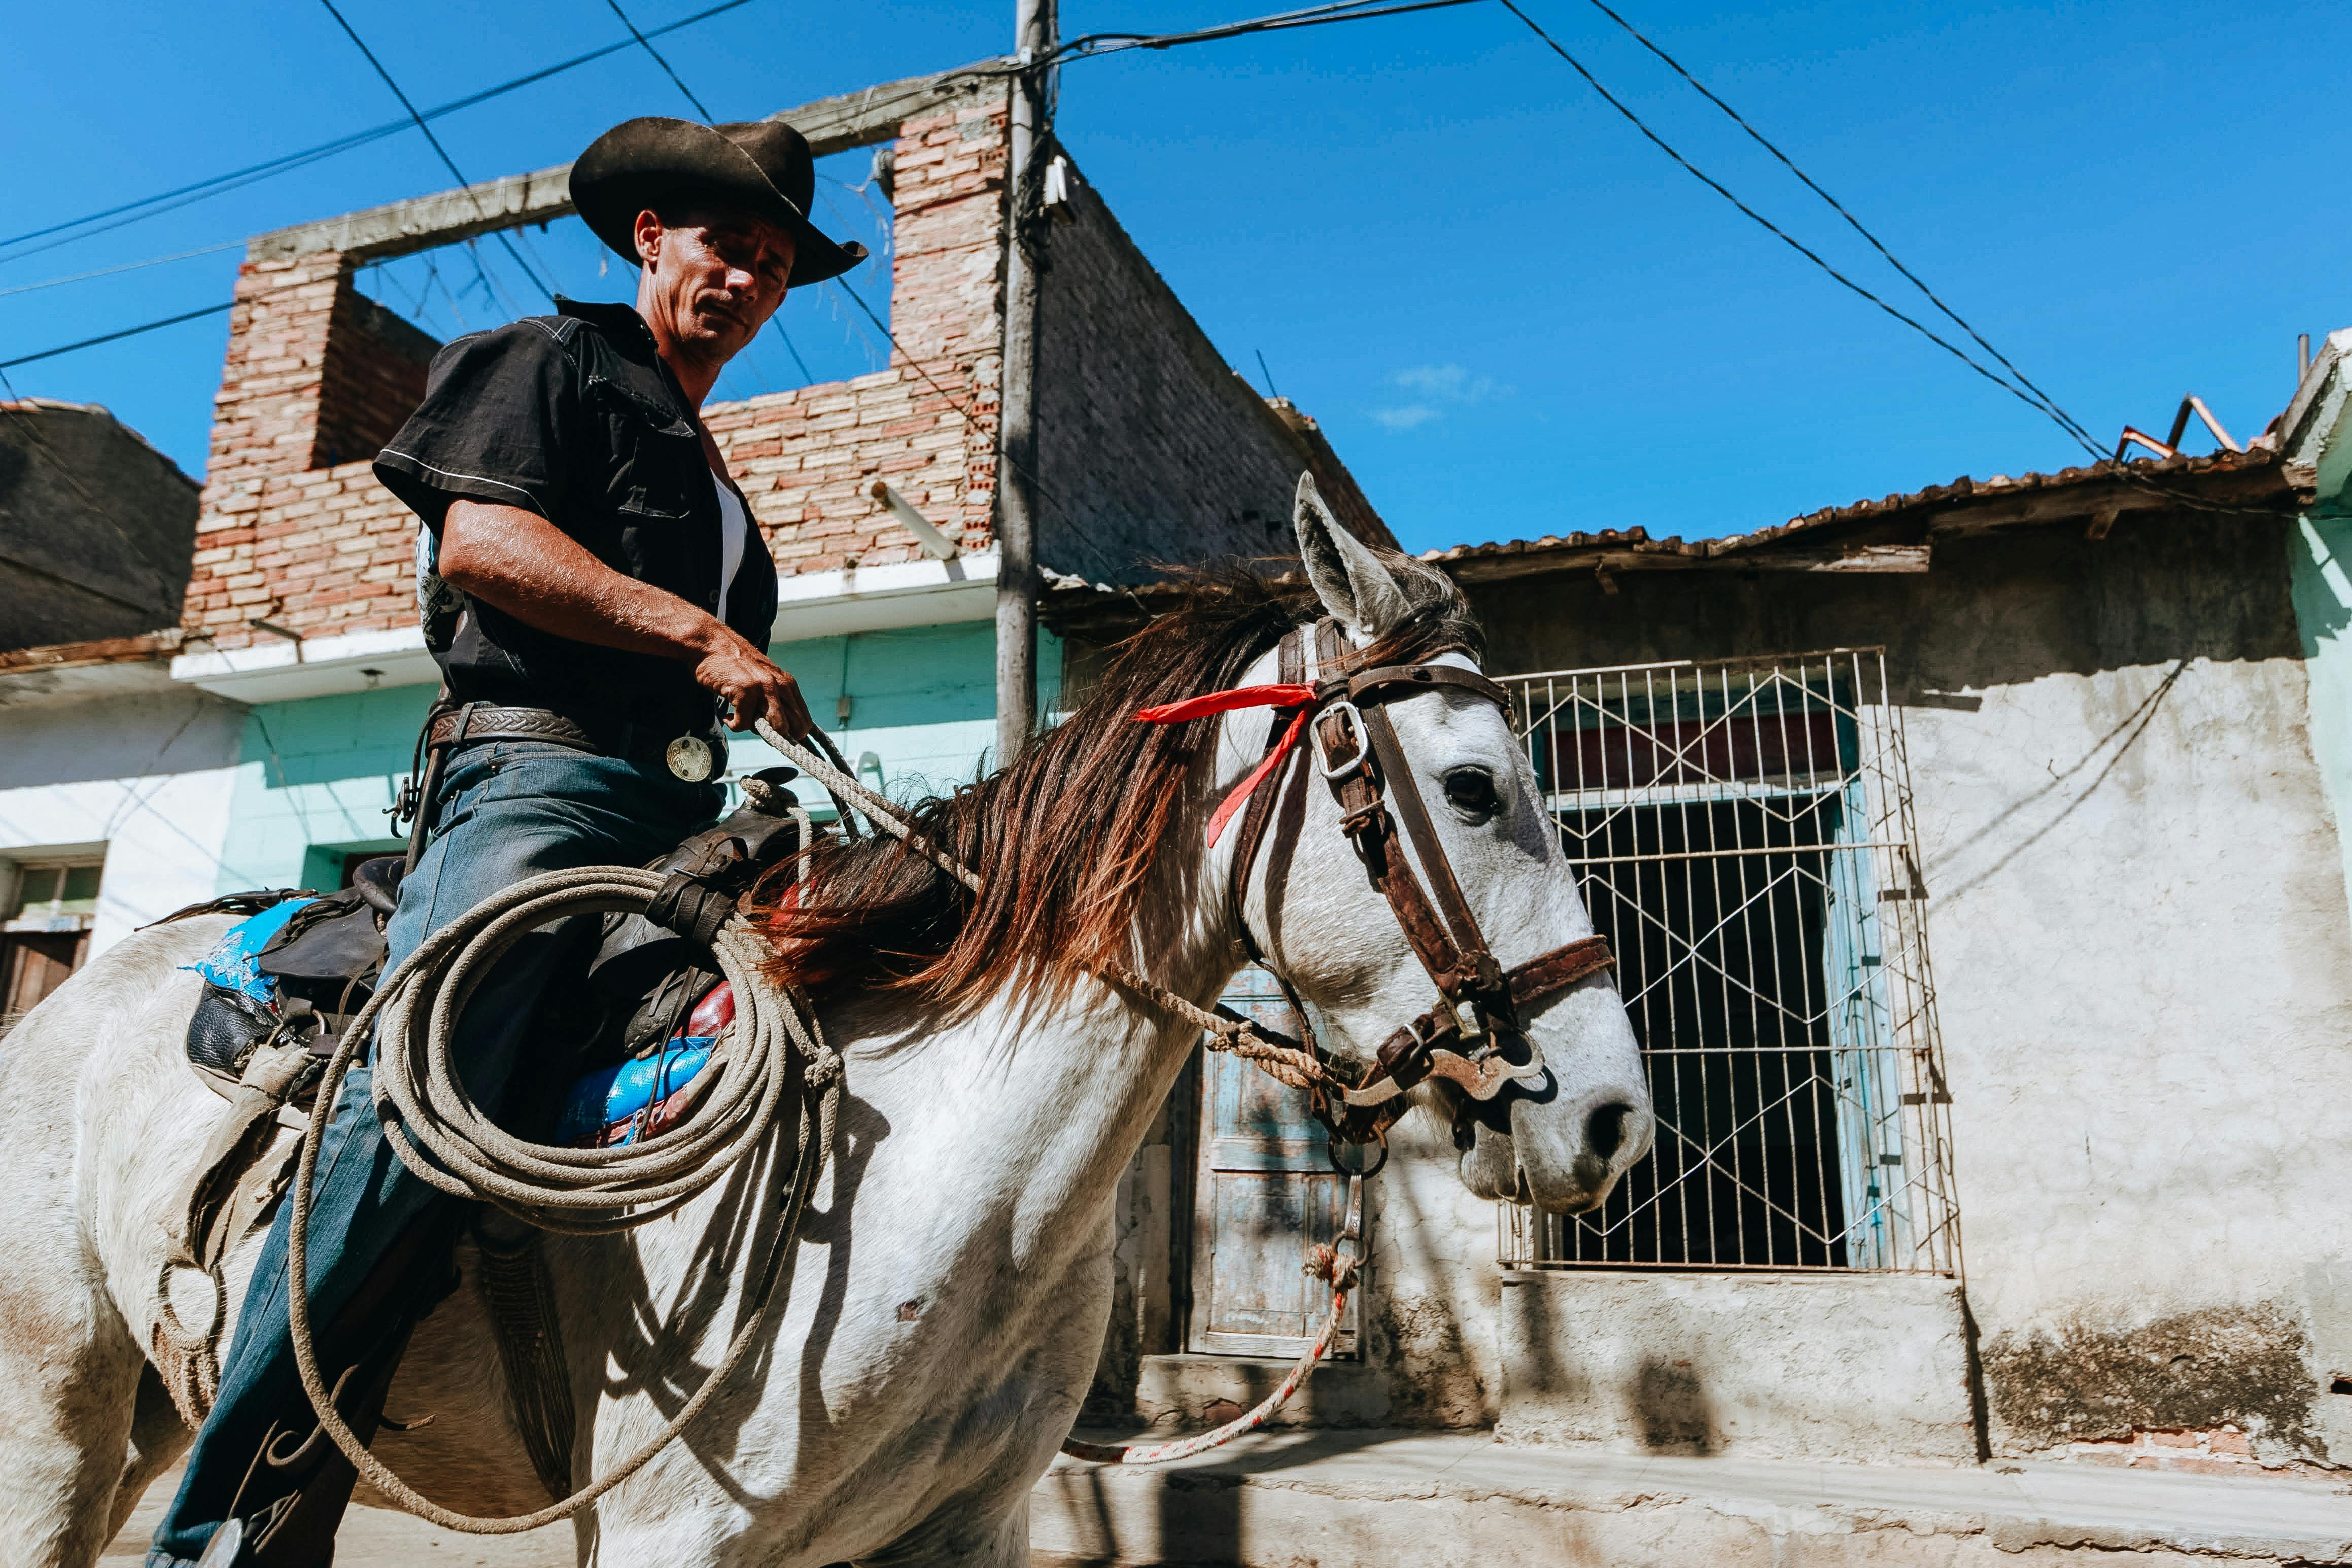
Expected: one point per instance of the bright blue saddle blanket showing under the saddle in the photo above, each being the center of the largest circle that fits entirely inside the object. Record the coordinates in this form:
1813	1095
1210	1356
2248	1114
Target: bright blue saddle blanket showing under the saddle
603	1108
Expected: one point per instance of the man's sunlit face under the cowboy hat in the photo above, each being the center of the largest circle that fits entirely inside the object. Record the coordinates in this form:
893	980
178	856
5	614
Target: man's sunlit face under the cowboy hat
714	276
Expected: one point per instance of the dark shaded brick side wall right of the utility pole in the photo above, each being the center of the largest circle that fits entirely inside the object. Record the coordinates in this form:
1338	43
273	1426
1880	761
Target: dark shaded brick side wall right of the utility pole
1149	445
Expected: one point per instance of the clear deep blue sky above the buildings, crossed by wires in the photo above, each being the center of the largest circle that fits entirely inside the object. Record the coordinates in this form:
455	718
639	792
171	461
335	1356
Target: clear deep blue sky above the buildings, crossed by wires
1511	314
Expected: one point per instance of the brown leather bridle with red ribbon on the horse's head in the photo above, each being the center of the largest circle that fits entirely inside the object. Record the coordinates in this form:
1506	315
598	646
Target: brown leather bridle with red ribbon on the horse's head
1474	1038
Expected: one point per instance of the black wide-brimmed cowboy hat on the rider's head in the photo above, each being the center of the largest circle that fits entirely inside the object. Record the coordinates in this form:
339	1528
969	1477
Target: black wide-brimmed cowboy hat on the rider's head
754	166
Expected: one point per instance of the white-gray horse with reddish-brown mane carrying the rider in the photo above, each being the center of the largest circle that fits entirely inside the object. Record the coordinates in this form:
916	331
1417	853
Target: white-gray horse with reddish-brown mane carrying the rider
954	1280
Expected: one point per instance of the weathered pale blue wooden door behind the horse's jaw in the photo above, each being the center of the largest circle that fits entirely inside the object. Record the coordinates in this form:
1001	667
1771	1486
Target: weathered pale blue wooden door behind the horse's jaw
1264	1198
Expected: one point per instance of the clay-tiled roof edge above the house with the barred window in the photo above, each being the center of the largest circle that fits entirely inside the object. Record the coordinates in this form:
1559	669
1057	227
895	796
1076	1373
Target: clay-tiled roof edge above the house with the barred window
2243	478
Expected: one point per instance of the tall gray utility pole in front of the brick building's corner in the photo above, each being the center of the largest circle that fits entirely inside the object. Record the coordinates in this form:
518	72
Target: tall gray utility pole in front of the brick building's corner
1017	436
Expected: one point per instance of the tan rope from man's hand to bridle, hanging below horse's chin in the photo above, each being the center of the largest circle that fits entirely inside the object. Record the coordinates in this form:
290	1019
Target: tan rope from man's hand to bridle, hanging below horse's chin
1288	1066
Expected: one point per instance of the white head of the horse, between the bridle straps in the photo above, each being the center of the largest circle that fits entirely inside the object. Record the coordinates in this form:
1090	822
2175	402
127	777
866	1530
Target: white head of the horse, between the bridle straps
1565	1137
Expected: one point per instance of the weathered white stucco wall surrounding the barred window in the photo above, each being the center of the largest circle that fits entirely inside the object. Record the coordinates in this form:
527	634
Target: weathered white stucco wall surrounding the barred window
2144	963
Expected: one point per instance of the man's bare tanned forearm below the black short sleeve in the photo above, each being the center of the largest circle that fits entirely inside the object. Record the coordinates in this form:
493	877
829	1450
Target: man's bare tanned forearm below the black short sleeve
540	575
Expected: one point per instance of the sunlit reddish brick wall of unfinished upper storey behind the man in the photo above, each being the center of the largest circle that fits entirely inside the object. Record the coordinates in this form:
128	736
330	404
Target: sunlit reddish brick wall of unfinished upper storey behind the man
298	532
